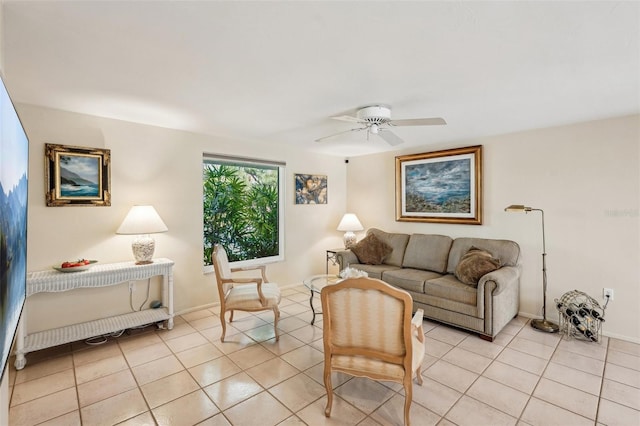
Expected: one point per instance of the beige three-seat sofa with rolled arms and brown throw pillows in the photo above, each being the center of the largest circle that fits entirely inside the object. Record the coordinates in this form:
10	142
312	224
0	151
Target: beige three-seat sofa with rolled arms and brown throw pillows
429	267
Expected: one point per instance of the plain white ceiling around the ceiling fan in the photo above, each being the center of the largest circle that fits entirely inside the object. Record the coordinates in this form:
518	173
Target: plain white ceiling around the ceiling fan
274	71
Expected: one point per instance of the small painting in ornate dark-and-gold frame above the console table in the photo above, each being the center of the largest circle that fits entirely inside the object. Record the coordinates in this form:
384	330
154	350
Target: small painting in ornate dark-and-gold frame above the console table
77	176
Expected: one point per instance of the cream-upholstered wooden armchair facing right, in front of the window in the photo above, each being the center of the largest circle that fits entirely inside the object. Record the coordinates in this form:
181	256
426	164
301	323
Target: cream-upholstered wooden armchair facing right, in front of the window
243	294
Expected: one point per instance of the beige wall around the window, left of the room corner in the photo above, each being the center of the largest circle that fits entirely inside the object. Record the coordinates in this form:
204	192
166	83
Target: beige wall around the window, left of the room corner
160	167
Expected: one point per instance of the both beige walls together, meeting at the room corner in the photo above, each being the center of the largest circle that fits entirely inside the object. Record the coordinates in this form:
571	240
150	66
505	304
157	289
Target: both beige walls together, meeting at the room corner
585	177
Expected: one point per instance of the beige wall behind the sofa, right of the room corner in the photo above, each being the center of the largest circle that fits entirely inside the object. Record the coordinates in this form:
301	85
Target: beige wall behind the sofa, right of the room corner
586	179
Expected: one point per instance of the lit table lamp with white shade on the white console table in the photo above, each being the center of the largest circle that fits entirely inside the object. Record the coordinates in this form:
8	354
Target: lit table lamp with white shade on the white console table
142	221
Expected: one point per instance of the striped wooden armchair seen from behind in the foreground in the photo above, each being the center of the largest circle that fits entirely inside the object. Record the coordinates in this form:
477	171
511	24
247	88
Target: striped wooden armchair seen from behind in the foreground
369	332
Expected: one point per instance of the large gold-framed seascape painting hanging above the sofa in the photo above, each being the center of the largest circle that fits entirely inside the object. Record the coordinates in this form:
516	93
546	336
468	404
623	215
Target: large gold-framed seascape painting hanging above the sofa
441	186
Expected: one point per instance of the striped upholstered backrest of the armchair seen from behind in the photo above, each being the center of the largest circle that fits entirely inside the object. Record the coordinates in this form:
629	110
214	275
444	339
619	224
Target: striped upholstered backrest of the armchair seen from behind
367	317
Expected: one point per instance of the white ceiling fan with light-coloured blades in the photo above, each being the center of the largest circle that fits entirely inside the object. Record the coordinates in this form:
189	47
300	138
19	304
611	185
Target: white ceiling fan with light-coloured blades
376	120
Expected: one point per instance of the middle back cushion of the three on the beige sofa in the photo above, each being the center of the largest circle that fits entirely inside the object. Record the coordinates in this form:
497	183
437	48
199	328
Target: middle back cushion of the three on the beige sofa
428	252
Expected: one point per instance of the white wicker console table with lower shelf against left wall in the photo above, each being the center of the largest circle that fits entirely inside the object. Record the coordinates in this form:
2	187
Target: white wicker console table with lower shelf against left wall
100	275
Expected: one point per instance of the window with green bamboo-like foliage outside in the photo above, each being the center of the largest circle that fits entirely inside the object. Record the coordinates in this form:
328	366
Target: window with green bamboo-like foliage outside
243	206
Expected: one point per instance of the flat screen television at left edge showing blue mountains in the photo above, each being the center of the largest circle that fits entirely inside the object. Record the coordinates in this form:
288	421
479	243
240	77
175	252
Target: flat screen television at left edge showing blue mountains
14	165
